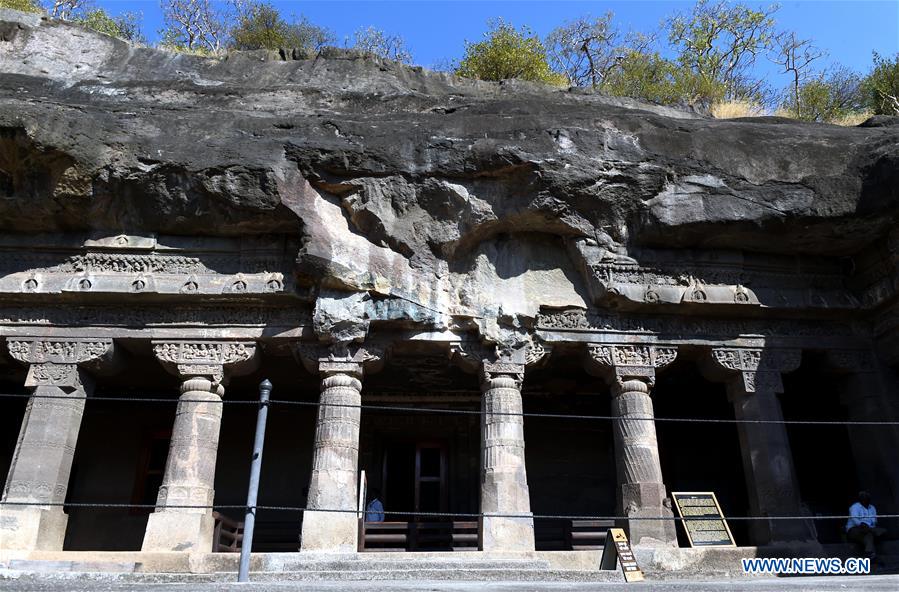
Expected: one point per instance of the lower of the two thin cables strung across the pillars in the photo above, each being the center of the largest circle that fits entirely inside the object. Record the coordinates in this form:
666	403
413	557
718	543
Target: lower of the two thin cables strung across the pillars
426	514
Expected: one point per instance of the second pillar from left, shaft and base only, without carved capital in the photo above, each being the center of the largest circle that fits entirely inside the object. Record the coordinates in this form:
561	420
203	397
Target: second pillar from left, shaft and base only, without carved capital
189	478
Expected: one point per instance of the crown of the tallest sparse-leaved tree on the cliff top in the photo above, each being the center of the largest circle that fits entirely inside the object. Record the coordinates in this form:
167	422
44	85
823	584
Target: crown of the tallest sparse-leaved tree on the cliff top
719	43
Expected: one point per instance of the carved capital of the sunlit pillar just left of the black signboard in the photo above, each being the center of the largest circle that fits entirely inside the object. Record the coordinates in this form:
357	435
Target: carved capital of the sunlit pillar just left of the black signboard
629	362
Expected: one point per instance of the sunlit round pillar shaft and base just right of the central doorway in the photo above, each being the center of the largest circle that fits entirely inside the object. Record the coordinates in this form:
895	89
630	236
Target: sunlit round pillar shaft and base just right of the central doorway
507	522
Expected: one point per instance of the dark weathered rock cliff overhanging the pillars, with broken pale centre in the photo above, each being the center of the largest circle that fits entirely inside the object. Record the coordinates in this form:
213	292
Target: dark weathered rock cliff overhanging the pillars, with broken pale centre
440	198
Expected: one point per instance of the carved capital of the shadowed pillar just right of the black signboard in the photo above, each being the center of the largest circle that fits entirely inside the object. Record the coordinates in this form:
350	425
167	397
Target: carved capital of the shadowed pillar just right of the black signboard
753	370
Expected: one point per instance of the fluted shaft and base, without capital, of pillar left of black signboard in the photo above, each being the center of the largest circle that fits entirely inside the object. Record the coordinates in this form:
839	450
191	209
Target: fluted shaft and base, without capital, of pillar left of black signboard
642	490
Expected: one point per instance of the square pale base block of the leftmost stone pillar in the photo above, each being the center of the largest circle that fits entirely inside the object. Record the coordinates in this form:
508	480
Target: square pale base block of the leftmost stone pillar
32	529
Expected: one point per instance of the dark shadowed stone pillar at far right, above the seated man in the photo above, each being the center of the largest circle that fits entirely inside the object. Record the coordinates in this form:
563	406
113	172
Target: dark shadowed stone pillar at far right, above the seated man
866	398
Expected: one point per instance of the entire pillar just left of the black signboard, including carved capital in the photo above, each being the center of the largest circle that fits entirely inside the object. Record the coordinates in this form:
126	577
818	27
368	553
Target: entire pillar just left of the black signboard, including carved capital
642	491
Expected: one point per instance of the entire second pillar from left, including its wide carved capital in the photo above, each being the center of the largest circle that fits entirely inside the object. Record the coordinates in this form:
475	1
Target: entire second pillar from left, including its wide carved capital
189	478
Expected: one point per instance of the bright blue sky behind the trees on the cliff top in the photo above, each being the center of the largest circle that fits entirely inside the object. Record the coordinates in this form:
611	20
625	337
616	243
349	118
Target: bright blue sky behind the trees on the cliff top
436	30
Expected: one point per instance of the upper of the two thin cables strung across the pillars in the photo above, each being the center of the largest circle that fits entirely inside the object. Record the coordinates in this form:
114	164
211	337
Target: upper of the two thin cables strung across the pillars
444	411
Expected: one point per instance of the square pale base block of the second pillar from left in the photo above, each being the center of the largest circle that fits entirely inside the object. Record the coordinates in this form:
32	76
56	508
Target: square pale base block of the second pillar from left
179	531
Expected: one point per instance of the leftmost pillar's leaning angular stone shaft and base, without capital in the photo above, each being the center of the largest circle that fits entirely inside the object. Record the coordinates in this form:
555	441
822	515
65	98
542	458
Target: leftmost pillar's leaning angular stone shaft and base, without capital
40	469
